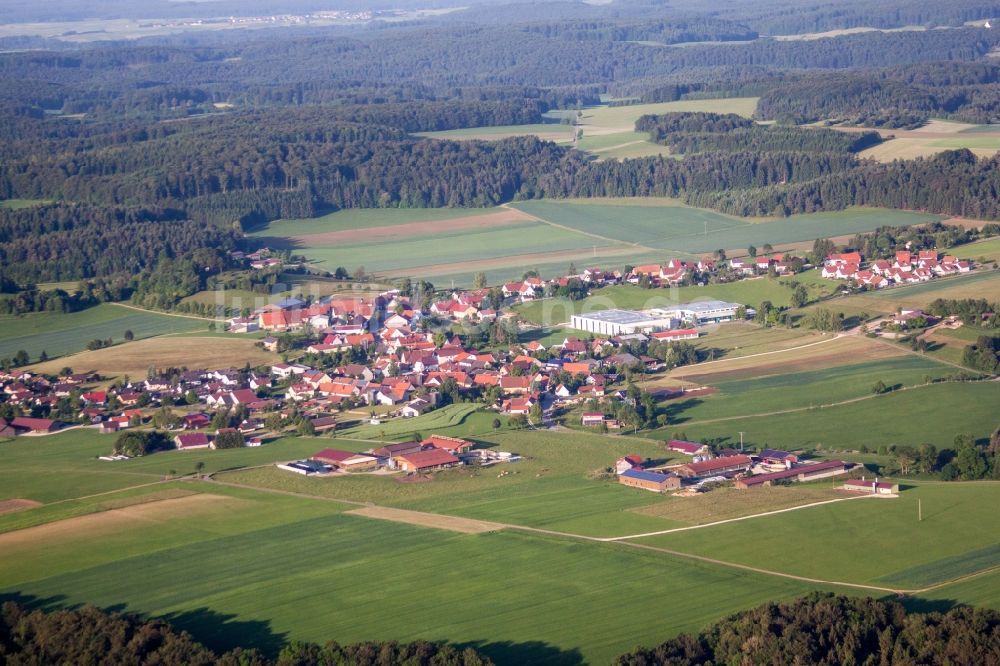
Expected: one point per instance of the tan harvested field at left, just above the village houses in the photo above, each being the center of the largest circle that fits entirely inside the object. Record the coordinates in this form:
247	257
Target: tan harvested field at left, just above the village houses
134	358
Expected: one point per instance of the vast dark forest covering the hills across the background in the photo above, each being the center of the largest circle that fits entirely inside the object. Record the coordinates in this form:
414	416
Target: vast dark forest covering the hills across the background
153	156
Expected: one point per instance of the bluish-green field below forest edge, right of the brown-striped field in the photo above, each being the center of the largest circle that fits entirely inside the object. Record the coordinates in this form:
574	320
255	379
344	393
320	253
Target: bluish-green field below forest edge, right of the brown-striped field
669	225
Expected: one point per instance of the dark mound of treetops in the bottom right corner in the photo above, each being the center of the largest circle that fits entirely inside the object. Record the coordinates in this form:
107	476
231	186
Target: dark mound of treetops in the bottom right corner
827	629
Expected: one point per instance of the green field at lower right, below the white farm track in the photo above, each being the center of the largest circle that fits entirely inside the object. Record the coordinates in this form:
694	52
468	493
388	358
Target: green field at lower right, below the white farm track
870	541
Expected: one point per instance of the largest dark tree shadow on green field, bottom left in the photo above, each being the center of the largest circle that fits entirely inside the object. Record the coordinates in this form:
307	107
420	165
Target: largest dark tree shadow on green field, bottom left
222	632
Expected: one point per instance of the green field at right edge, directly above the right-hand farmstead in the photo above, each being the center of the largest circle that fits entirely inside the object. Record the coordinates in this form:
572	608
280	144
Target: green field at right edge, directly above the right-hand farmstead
933	414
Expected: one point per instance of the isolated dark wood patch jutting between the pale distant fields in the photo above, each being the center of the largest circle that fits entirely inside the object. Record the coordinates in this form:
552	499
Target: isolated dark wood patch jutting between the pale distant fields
704	132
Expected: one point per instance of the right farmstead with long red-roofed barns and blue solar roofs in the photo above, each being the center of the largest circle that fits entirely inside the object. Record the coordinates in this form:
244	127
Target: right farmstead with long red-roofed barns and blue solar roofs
764	468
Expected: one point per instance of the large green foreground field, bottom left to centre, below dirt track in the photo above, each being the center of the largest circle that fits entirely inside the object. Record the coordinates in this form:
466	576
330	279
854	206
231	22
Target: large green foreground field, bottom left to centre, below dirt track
317	567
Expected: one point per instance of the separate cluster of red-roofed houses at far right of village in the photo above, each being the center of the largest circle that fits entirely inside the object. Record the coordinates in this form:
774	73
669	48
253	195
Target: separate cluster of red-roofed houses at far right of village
906	267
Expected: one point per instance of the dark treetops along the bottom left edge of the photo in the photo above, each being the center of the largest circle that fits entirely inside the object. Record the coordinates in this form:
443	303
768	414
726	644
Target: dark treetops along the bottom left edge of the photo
91	637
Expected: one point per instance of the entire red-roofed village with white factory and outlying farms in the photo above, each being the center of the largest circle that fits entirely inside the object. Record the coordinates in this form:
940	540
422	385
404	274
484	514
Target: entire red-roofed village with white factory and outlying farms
389	355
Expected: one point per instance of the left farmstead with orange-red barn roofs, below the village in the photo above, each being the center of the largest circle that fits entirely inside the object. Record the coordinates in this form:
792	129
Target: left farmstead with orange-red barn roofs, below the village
435	453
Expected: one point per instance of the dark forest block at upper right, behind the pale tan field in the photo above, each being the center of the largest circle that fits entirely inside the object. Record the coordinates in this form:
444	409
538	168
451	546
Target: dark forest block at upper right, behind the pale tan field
895	97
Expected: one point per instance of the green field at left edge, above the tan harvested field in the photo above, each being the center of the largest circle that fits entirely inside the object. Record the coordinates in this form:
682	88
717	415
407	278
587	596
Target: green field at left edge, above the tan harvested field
58	334
